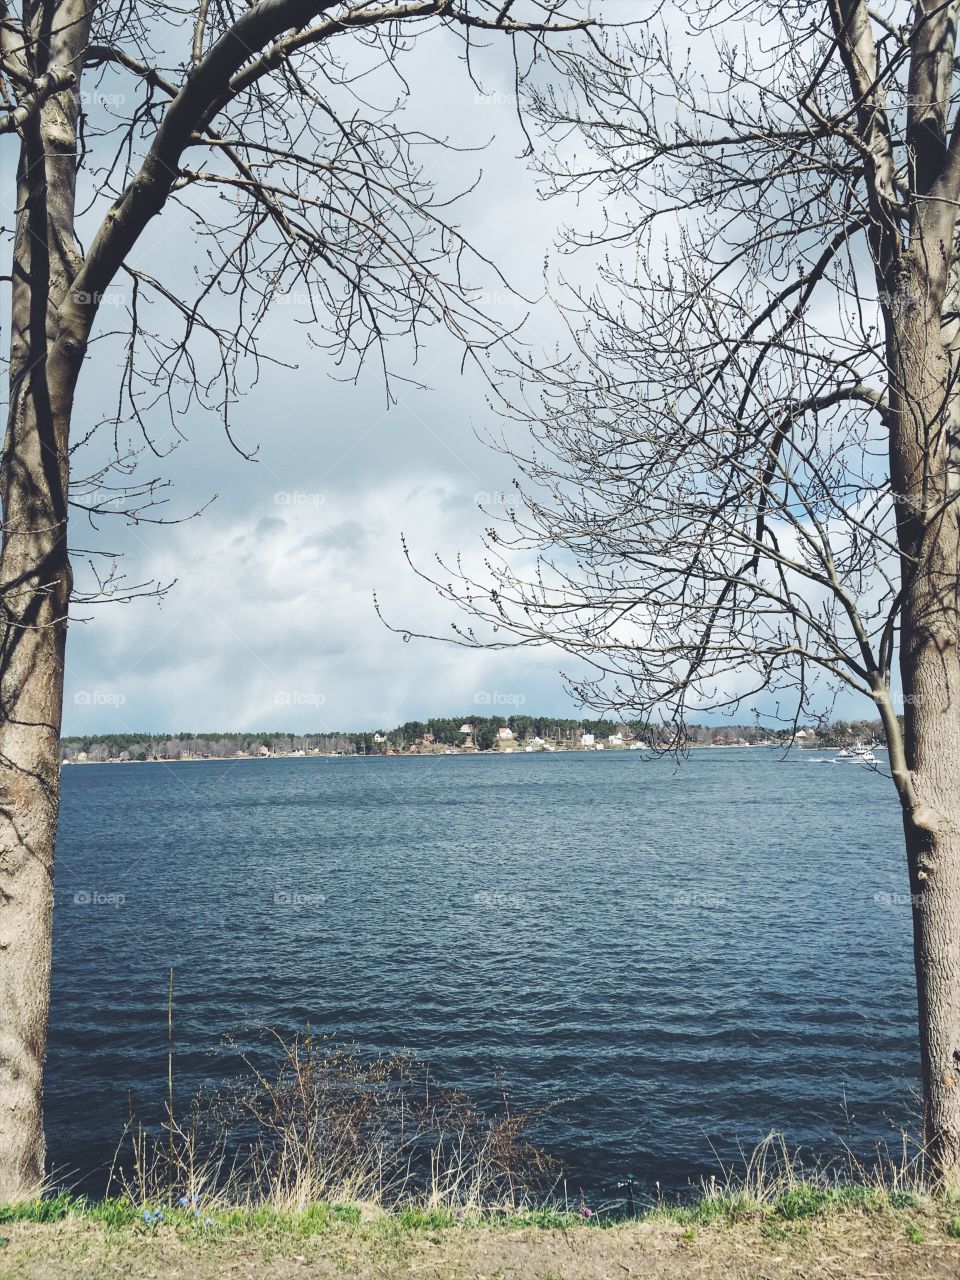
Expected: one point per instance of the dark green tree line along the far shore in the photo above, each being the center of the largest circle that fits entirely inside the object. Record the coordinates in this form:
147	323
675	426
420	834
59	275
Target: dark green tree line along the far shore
440	732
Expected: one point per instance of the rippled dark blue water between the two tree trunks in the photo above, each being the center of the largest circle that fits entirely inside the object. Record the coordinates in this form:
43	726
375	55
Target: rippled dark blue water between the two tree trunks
688	957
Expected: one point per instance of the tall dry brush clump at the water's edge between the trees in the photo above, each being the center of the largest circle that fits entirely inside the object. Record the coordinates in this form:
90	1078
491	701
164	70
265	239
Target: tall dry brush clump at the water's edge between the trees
314	1123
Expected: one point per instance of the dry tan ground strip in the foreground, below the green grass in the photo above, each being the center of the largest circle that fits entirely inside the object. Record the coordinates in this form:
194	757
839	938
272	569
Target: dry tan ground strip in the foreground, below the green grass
848	1249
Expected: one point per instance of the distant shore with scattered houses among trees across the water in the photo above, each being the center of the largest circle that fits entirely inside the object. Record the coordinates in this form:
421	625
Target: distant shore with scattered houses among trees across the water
456	737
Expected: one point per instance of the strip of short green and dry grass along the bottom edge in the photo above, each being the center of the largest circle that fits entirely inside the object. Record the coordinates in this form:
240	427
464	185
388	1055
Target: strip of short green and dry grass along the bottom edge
865	1233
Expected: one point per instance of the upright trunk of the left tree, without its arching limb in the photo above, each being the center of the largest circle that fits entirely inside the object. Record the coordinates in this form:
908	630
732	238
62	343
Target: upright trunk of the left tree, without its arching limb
35	591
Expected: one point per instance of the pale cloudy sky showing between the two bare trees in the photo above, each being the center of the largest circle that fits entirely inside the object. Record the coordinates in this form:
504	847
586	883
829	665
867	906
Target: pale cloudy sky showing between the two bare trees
268	620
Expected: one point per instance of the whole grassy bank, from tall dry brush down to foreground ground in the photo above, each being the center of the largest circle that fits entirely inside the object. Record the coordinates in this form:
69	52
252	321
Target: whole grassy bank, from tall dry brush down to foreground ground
424	1206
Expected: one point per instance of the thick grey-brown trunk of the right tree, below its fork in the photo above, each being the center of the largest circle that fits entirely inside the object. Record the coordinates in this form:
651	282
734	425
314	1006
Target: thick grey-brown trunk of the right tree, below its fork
925	479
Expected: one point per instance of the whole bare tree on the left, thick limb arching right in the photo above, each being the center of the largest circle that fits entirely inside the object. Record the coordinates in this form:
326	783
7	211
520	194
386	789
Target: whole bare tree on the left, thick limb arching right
253	122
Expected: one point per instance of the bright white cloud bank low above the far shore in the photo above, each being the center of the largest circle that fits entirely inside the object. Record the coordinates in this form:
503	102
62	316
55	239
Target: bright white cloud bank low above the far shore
272	624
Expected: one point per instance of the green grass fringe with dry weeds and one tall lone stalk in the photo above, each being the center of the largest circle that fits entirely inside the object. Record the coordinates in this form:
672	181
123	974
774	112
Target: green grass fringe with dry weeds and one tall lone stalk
318	1142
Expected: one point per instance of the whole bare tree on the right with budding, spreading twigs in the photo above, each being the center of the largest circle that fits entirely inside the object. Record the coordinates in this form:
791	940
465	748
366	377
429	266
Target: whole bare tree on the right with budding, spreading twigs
746	476
